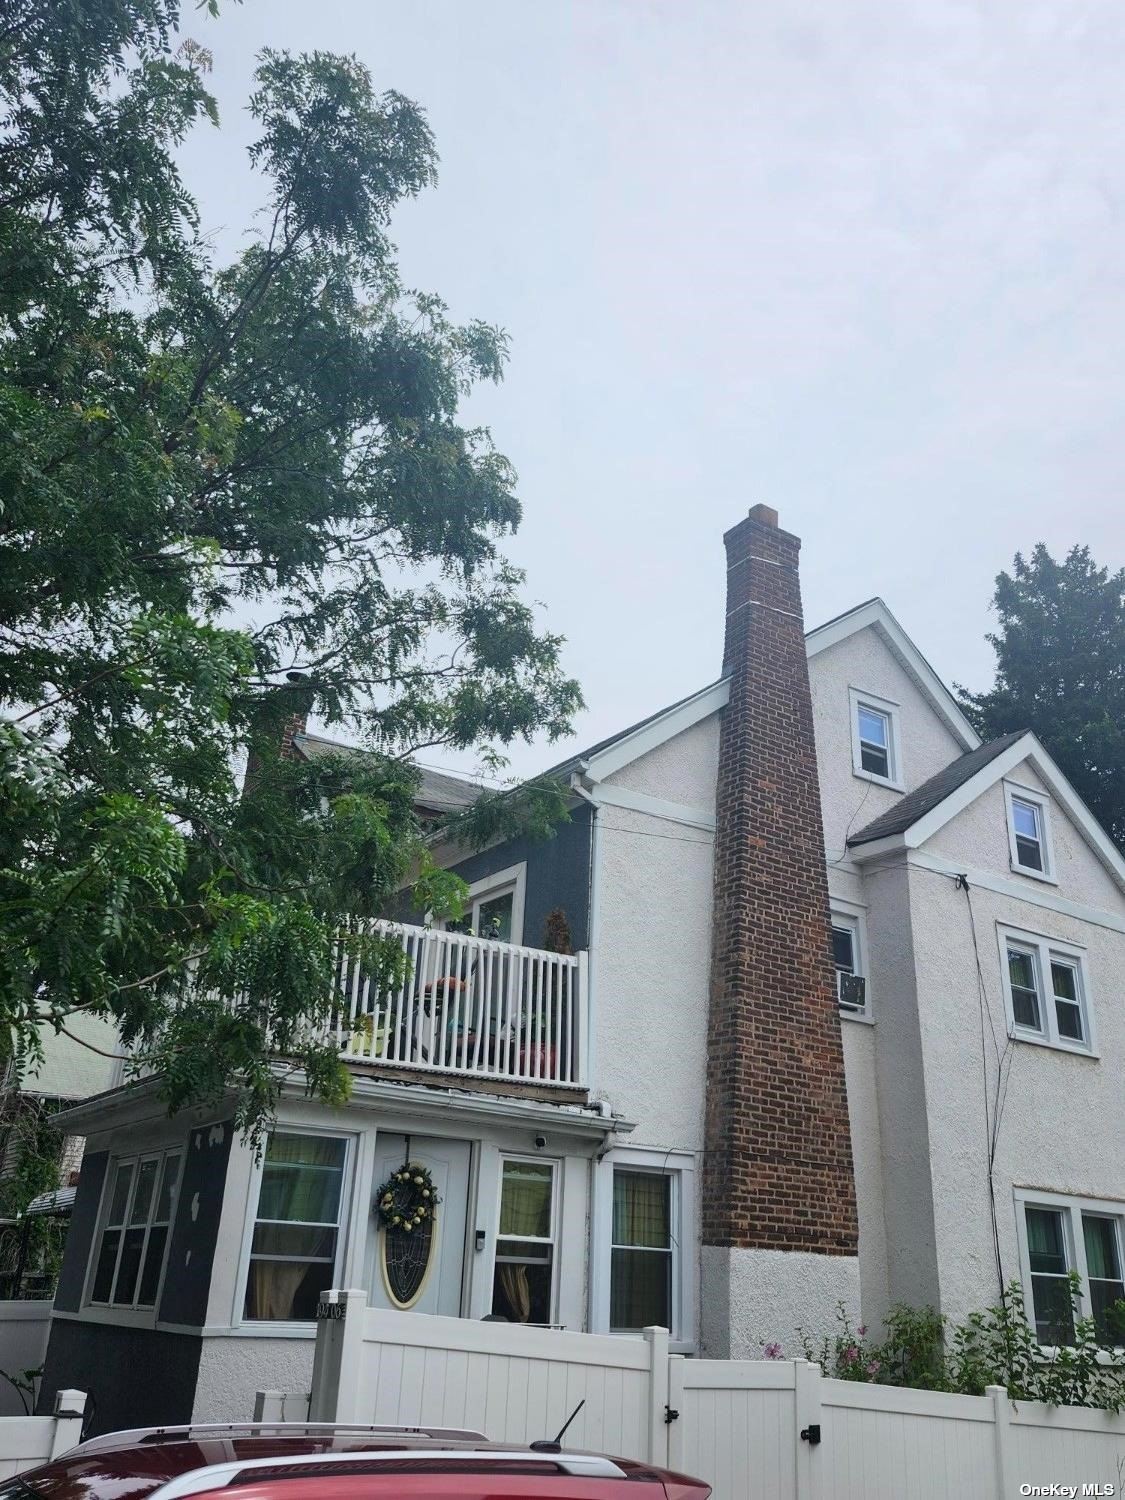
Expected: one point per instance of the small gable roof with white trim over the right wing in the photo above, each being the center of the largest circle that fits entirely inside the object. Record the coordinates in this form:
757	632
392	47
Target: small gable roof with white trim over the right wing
919	818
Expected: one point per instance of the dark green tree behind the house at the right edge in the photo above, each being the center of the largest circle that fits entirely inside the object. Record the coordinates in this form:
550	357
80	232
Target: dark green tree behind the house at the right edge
1061	673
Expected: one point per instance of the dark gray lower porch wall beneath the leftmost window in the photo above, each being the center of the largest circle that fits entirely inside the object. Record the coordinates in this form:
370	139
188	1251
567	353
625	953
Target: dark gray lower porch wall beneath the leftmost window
134	1376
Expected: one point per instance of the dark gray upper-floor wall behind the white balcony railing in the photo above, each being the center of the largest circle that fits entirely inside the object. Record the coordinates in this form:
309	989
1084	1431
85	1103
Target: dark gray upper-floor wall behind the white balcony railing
559	875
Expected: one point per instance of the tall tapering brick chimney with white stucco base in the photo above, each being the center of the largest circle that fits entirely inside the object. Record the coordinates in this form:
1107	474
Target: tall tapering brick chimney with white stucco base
778	1186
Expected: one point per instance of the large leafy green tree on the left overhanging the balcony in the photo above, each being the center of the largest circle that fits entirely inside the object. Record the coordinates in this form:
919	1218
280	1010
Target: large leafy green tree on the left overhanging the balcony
190	446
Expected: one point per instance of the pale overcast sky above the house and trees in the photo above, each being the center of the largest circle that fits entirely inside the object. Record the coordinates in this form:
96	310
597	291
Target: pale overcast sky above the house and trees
860	262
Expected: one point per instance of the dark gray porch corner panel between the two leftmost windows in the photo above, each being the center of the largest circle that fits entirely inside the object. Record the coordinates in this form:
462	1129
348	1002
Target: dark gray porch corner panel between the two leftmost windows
188	1277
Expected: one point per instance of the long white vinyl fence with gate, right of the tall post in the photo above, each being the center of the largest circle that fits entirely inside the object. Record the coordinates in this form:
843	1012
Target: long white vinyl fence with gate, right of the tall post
755	1430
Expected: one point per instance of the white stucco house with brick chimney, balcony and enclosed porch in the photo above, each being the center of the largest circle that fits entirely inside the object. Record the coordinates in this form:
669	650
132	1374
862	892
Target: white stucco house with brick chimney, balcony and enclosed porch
841	1024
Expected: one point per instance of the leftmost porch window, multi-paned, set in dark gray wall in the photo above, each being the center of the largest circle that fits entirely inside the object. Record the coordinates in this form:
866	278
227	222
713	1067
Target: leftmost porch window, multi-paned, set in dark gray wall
139	1214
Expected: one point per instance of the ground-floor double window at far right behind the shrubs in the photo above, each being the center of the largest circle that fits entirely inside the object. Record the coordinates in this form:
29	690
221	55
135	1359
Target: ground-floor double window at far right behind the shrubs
1060	1237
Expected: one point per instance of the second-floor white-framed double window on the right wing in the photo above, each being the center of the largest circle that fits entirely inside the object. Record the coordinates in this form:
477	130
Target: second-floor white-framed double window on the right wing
1046	992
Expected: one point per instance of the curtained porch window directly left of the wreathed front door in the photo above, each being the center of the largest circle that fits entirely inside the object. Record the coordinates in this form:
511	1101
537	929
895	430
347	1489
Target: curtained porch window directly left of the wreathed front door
298	1231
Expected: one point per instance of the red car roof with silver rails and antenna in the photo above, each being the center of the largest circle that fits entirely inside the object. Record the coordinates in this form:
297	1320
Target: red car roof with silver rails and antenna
298	1462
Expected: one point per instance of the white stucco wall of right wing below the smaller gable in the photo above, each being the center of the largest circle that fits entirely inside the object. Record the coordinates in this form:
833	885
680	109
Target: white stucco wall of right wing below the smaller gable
1061	1127
